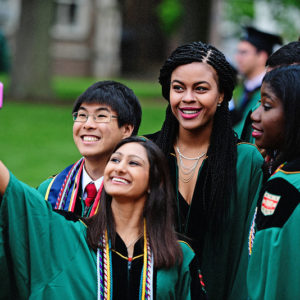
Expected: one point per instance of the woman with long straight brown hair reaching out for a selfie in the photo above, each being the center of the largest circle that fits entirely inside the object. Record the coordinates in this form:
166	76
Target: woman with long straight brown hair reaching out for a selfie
128	250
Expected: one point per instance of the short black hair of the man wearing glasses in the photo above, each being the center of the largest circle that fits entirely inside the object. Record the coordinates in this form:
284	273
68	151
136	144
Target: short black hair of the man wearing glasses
119	97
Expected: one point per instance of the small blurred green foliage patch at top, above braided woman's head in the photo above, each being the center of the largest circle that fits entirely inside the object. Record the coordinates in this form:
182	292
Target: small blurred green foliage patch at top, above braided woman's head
169	13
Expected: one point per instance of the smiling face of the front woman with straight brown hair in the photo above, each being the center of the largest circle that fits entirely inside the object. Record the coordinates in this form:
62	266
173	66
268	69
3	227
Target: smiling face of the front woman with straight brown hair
126	175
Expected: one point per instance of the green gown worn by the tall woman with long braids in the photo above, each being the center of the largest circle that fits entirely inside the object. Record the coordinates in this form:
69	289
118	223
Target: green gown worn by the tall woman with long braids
224	266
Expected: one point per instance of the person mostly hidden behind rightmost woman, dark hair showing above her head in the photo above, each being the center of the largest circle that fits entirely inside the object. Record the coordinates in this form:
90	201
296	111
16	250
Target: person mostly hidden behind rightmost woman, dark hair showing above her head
288	54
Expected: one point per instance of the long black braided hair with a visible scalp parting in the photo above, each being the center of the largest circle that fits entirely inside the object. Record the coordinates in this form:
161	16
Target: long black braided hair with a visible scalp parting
221	162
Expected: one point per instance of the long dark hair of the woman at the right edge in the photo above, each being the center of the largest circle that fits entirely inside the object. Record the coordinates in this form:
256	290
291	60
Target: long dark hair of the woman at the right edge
284	82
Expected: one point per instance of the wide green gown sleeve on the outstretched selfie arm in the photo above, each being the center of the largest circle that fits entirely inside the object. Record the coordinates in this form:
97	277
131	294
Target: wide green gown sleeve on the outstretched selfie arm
46	255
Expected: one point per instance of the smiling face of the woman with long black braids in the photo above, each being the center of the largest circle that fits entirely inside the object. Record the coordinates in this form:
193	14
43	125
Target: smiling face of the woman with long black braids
194	95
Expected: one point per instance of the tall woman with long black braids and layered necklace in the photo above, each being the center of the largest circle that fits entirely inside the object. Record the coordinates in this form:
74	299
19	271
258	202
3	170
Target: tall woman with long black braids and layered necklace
216	178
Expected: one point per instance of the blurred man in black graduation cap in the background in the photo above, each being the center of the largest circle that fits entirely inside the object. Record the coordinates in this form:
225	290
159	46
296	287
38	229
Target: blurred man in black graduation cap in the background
253	51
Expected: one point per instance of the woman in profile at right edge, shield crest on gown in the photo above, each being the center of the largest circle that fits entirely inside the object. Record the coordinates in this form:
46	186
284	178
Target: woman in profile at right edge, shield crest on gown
274	267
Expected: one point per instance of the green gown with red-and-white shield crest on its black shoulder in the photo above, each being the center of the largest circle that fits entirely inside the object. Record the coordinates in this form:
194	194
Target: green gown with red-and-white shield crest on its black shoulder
274	267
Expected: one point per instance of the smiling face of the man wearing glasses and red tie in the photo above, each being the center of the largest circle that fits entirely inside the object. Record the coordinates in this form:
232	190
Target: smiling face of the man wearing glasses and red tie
96	141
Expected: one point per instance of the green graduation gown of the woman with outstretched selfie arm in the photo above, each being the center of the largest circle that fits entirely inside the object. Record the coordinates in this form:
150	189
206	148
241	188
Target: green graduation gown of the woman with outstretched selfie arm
47	256
